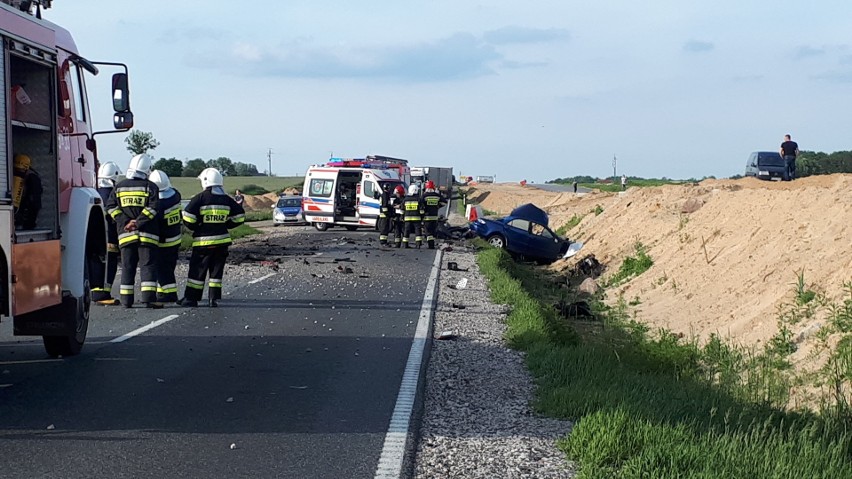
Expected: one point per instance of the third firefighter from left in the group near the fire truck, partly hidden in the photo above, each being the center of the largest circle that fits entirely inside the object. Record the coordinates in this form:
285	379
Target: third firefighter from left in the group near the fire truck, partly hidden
170	236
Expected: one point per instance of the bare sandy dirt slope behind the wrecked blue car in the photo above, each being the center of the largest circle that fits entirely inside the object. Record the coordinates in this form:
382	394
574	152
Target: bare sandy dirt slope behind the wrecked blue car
726	266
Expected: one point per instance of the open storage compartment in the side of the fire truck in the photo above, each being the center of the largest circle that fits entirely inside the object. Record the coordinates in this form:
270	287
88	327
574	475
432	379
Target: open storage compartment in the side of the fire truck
31	132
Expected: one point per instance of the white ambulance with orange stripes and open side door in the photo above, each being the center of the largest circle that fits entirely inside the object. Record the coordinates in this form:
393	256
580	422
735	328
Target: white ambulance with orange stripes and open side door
346	192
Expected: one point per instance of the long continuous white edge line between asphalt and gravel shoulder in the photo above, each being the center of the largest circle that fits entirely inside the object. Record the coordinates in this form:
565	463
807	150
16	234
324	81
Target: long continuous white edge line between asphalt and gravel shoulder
398	450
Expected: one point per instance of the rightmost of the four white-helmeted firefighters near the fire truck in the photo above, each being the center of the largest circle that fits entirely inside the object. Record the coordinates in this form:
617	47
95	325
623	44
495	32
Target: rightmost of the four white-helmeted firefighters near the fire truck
209	214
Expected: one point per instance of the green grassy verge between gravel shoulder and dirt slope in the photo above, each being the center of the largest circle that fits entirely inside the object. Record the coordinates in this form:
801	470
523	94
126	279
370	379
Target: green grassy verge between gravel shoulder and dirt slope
656	406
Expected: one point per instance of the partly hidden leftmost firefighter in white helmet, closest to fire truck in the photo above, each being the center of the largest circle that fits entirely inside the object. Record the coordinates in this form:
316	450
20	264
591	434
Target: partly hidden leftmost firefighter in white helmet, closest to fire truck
108	175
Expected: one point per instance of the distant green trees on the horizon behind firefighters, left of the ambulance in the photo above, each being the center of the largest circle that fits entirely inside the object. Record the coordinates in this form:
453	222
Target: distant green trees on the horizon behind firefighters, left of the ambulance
139	142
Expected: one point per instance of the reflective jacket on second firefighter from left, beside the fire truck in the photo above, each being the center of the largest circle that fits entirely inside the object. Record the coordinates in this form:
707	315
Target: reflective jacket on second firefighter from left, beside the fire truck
135	199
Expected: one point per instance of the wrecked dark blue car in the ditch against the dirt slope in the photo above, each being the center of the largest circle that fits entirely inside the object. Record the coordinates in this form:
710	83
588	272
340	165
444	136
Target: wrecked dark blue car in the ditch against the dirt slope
524	233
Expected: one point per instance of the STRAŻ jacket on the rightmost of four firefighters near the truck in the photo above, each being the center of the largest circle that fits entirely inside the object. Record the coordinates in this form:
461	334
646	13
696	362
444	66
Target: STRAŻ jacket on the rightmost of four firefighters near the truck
210	214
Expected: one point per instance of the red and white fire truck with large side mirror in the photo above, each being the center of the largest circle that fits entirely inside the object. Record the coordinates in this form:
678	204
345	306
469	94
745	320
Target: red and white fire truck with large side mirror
52	223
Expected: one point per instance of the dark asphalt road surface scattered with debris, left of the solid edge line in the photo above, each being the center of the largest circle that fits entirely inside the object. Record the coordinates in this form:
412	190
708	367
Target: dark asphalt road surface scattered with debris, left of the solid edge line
295	375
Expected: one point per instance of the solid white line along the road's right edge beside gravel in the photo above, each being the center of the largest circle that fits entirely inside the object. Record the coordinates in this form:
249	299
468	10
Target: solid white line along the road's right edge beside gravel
393	451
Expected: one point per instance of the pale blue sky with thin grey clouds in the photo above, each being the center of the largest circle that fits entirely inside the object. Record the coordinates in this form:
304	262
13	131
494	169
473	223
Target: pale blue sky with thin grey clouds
519	90
